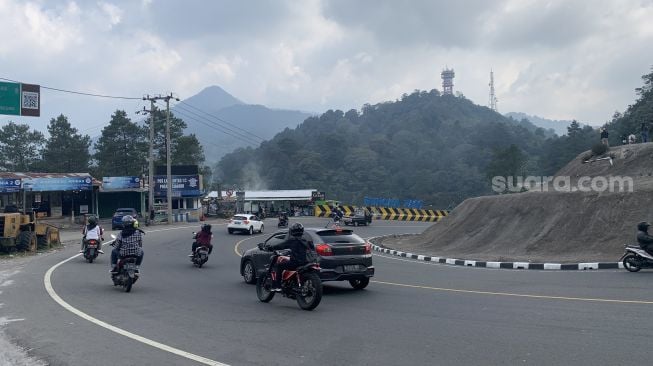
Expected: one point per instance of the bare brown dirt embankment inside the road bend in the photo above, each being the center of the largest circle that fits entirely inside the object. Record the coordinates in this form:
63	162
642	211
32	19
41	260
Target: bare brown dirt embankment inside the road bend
548	226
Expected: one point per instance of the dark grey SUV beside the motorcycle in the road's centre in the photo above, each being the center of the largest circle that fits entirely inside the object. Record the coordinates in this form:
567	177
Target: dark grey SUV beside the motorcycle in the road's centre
343	256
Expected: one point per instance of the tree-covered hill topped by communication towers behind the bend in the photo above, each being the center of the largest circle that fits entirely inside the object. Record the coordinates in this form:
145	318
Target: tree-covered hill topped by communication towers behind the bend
427	146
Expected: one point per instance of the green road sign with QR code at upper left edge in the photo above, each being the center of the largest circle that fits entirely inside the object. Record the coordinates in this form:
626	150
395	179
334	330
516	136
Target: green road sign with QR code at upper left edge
20	99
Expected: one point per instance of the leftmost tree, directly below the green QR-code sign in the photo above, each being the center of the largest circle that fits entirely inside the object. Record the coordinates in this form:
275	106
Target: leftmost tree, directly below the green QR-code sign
19	147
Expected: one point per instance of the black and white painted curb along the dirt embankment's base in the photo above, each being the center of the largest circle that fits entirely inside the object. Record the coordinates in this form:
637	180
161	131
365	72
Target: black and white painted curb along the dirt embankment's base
498	265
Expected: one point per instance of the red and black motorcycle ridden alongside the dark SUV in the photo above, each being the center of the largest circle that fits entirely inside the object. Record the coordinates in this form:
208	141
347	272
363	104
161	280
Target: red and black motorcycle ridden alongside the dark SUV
302	284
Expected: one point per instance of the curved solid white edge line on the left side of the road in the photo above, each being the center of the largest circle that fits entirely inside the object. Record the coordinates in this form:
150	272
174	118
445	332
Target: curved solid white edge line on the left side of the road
47	280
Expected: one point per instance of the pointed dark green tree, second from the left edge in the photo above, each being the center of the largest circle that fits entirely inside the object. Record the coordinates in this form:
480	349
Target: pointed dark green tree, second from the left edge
66	151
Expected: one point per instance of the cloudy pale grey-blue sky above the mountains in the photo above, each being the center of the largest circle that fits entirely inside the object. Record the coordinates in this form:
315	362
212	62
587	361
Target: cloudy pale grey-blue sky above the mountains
558	59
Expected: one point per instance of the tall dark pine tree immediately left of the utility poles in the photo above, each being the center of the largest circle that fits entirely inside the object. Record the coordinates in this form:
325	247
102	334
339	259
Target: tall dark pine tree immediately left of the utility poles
122	148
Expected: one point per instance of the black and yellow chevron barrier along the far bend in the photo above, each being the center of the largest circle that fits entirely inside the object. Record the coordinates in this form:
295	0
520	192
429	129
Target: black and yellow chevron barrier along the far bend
389	213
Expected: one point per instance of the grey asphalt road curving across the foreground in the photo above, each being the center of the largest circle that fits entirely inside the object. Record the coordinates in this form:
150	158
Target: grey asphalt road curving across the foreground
413	313
